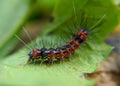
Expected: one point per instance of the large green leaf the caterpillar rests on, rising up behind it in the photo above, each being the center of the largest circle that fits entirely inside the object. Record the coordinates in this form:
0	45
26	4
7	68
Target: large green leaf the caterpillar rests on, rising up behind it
93	51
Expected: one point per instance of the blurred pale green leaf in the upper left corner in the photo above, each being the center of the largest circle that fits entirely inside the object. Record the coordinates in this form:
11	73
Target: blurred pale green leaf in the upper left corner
13	13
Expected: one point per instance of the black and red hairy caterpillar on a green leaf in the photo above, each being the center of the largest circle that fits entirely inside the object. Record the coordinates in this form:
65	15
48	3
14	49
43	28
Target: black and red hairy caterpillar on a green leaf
60	53
